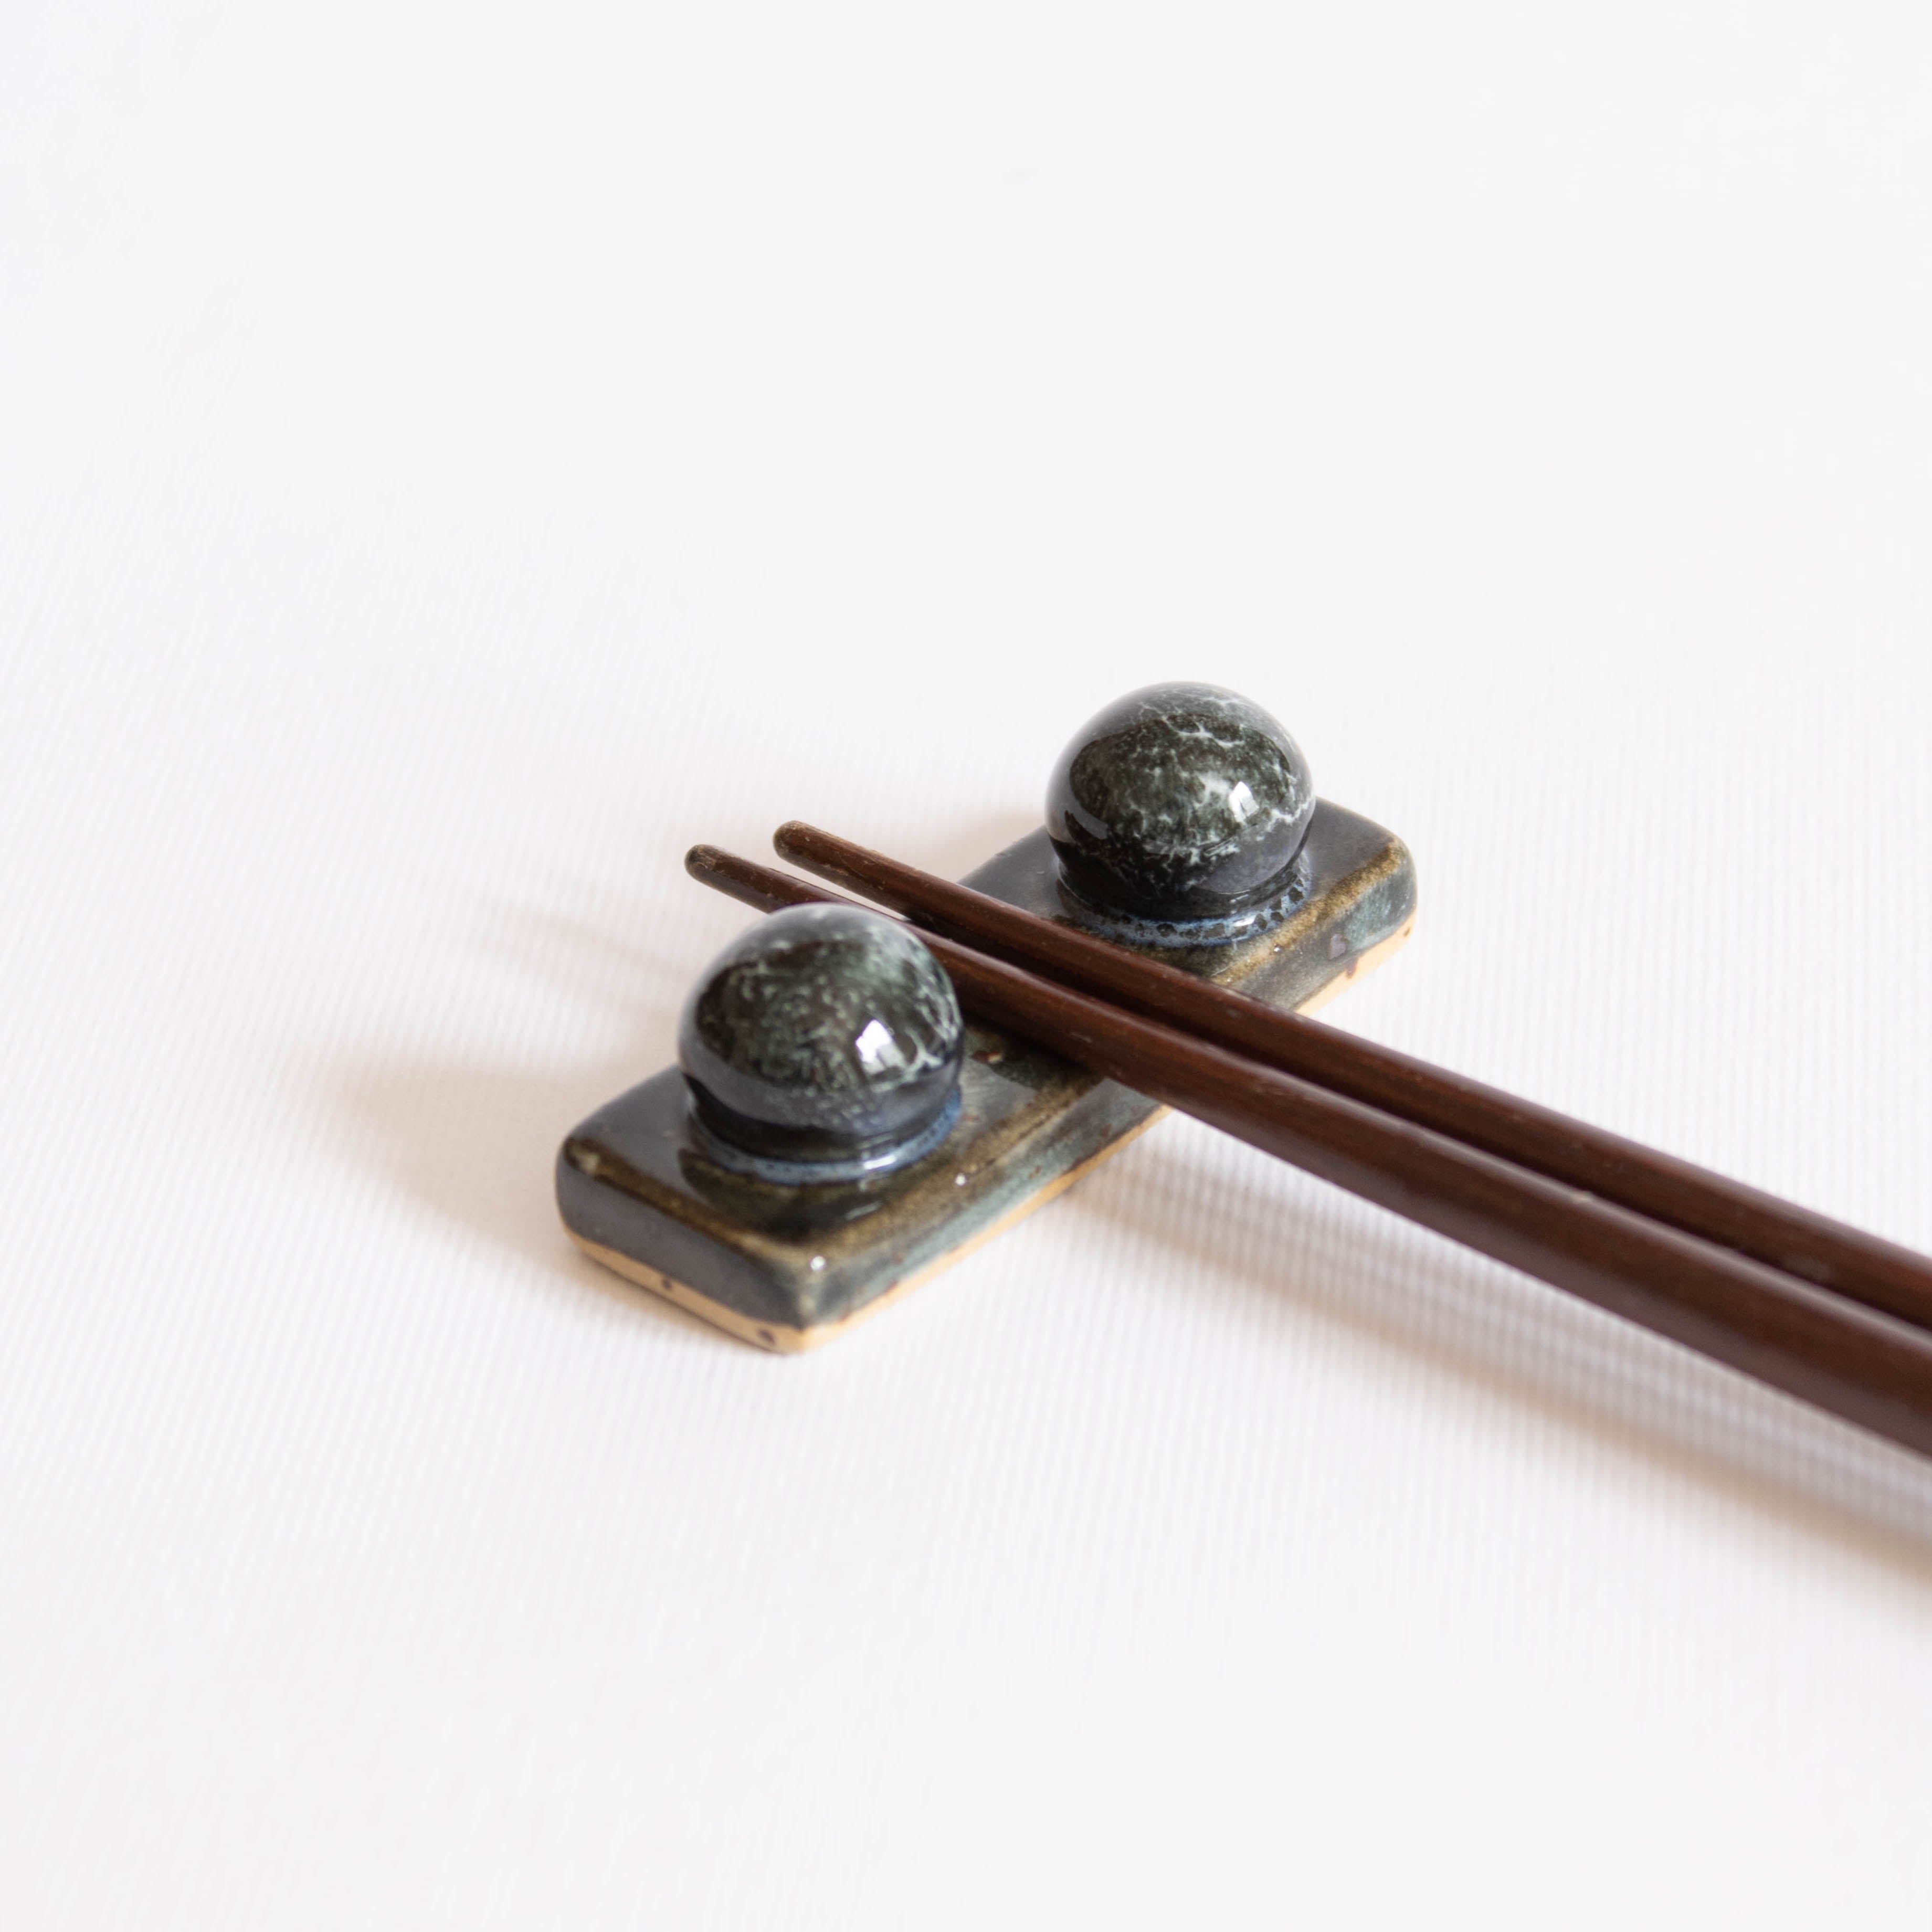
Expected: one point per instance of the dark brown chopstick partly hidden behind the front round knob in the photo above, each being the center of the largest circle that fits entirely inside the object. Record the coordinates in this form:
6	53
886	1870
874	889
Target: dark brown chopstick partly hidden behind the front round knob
1863	1367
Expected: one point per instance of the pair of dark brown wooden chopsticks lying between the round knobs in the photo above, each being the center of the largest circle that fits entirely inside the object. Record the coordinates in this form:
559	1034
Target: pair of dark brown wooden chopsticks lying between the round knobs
1813	1307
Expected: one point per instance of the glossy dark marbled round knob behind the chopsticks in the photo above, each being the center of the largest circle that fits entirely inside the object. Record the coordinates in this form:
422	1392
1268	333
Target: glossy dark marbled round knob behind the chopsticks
1181	809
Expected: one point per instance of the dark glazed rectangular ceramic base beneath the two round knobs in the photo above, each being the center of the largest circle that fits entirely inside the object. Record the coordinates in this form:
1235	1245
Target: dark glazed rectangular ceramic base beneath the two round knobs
793	1266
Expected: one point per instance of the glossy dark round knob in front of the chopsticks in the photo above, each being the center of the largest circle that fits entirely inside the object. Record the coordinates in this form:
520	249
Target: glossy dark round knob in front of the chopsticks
826	1038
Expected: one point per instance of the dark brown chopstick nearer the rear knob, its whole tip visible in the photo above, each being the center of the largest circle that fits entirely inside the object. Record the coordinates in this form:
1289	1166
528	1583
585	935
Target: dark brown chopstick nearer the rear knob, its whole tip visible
1579	1156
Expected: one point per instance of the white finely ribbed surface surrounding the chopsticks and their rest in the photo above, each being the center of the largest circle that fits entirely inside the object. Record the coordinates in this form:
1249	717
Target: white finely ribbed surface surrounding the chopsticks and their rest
457	457
